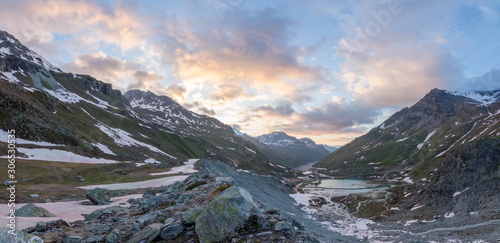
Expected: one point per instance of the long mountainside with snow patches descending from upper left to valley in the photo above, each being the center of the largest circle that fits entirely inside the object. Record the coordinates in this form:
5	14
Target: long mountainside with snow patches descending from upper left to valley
75	114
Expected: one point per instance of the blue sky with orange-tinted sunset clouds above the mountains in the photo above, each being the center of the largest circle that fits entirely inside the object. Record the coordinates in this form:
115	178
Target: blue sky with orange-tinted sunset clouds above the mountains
323	69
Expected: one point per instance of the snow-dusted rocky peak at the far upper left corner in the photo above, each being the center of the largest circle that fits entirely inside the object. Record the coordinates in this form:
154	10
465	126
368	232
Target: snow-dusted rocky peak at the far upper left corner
9	45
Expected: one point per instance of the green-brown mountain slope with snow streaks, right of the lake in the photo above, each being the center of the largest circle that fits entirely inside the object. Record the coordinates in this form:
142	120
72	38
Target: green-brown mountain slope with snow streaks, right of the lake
416	139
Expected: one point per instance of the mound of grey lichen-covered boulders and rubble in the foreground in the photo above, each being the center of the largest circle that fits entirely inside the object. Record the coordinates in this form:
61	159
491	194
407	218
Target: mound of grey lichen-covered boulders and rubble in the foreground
181	212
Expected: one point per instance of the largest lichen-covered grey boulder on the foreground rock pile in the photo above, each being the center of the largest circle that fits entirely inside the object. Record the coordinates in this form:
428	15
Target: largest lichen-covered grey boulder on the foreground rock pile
228	211
